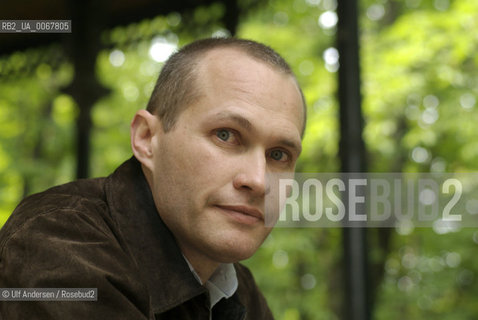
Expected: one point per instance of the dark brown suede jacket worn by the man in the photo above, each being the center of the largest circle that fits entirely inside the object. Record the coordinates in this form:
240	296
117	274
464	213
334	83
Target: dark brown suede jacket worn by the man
106	233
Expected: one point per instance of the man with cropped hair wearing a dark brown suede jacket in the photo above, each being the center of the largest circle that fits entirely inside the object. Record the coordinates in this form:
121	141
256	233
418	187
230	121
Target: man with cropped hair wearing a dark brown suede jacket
161	237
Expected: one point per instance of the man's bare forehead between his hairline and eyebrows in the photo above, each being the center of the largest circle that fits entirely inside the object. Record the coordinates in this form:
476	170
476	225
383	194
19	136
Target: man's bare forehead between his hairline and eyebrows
232	73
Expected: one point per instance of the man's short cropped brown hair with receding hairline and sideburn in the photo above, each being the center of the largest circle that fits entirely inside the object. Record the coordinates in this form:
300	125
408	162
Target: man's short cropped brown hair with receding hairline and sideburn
176	86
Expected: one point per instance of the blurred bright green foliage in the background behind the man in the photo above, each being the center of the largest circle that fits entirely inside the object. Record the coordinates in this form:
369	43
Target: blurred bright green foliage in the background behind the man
419	86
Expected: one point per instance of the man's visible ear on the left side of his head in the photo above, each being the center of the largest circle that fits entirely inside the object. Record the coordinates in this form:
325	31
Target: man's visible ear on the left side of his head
144	128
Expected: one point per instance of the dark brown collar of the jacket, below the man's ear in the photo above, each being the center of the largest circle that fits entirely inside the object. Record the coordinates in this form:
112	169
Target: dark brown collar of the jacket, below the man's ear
158	257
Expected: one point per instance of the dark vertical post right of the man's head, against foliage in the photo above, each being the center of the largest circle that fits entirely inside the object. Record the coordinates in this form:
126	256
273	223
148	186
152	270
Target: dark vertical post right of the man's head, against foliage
352	157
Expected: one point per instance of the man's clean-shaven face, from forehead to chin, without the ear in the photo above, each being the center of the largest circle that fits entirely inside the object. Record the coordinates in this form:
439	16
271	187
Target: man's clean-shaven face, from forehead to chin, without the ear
208	179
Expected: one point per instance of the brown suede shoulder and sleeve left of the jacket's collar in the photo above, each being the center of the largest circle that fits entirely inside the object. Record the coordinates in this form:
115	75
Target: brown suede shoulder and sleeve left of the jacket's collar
65	237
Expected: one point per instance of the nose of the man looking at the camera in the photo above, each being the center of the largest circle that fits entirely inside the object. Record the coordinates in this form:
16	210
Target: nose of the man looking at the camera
251	175
